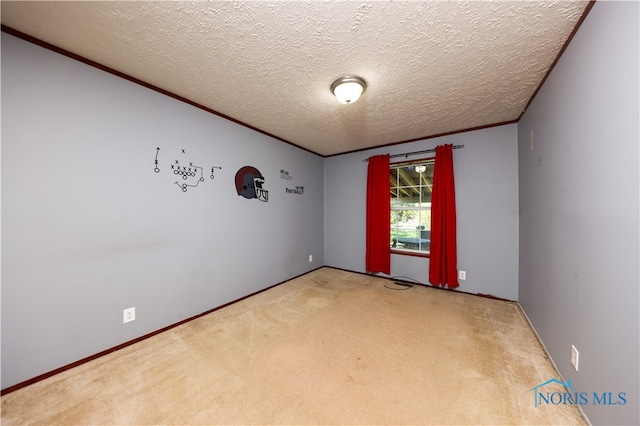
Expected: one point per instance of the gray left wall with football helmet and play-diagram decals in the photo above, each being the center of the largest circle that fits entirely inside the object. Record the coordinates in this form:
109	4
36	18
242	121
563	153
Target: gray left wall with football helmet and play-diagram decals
89	229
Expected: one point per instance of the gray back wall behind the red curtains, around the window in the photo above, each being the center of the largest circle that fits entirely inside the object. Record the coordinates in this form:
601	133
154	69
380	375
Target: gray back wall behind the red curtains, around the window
486	175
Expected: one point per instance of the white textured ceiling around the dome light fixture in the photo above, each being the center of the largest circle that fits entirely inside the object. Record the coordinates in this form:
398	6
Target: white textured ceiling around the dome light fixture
432	67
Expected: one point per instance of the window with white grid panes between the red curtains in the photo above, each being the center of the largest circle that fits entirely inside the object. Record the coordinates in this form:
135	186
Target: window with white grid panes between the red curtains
411	184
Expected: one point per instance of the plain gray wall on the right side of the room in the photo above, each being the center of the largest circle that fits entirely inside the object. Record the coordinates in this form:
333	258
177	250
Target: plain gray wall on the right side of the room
579	210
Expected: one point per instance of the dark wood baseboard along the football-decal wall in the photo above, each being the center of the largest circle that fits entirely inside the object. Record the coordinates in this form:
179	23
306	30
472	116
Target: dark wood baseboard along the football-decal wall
136	340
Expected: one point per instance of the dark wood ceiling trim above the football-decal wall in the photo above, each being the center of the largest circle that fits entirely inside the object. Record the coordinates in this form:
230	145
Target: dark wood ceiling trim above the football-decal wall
104	68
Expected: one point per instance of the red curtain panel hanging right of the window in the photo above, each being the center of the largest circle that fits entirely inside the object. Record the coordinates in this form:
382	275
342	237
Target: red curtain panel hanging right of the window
443	268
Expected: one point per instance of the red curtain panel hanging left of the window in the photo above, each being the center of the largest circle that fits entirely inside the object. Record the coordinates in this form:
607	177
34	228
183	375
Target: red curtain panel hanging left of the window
378	215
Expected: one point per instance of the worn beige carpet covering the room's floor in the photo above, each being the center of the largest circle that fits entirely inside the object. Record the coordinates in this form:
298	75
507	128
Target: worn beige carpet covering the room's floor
330	347
